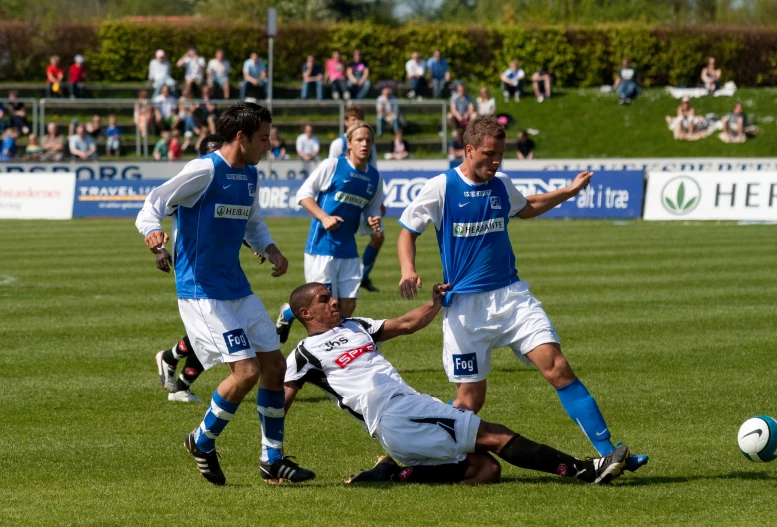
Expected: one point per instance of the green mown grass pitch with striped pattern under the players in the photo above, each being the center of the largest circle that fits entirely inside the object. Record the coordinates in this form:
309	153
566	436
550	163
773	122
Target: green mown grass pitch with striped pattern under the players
672	326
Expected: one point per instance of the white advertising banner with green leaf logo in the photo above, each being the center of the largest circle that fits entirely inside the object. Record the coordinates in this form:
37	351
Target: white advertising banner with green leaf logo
711	196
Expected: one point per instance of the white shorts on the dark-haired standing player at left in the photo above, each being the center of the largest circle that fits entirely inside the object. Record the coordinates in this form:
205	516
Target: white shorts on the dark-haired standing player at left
227	330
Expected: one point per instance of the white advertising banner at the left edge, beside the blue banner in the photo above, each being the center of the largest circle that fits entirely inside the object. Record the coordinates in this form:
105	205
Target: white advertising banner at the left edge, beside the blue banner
37	196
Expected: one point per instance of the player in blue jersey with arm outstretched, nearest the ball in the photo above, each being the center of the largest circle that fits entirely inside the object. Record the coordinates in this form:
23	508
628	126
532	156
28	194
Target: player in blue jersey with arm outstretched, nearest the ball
489	306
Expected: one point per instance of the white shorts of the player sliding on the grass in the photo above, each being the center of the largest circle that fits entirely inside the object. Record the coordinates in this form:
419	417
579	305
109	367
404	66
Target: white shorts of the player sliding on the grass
421	430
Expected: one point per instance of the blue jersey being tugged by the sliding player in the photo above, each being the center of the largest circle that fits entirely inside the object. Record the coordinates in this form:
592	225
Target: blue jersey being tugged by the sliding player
471	222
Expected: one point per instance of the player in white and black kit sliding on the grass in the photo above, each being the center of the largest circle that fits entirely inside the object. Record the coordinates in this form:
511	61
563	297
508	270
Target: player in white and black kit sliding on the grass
438	442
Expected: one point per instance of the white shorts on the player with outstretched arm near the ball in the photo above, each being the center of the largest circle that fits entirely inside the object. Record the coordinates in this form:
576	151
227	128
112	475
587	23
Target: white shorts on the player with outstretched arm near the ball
477	323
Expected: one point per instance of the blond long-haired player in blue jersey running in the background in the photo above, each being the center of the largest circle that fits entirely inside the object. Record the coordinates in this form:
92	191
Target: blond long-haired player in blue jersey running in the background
337	194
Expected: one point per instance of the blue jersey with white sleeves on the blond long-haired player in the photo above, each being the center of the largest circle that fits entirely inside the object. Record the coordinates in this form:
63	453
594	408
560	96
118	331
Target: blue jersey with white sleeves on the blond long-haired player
341	190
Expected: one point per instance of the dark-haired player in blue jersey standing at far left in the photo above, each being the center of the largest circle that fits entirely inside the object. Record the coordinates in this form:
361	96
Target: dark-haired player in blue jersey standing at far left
216	197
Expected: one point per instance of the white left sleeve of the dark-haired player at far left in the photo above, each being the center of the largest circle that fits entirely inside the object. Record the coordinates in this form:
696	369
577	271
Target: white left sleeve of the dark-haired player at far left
183	190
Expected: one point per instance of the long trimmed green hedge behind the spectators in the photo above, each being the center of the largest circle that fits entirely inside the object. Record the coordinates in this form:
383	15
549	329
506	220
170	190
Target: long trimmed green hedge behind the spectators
578	56
